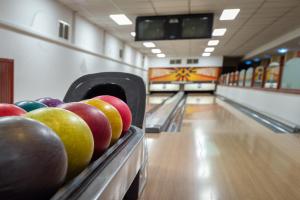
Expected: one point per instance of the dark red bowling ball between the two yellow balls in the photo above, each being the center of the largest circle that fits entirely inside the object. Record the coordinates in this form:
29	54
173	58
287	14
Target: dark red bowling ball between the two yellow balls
97	122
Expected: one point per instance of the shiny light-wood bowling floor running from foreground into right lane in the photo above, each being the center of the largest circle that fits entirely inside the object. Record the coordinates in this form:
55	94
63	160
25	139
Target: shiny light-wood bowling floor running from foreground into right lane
222	154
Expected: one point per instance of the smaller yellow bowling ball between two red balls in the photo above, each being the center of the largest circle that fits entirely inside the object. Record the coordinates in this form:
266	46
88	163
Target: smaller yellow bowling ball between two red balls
112	114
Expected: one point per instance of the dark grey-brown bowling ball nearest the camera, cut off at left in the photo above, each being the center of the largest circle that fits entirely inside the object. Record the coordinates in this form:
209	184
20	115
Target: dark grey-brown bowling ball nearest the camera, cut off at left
33	160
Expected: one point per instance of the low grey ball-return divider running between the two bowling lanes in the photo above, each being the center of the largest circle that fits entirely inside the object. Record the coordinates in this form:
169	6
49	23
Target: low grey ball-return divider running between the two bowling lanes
160	119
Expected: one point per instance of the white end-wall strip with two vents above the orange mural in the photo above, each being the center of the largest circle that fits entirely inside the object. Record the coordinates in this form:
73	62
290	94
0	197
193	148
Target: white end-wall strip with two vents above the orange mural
212	61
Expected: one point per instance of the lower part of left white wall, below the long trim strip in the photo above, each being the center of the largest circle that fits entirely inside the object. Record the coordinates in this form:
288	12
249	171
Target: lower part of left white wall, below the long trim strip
48	69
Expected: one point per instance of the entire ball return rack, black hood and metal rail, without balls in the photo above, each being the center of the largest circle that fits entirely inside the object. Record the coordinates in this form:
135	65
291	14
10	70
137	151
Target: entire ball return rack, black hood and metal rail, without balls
121	172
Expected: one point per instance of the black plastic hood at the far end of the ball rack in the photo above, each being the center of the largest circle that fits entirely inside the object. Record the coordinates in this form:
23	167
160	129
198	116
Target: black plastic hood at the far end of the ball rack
128	87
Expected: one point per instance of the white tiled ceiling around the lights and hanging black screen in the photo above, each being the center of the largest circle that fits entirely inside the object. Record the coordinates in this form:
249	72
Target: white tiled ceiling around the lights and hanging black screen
259	22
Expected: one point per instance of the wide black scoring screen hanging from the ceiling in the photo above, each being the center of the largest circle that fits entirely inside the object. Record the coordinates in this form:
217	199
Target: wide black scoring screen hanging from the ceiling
170	27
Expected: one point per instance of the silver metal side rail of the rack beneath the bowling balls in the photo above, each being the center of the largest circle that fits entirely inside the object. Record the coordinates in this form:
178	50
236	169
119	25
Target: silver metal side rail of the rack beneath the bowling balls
101	178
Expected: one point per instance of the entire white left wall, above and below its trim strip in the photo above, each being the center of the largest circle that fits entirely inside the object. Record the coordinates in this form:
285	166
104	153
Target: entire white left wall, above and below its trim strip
45	66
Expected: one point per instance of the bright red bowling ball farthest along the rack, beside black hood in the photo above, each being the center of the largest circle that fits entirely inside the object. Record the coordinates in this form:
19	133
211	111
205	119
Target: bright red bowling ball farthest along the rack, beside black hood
122	107
